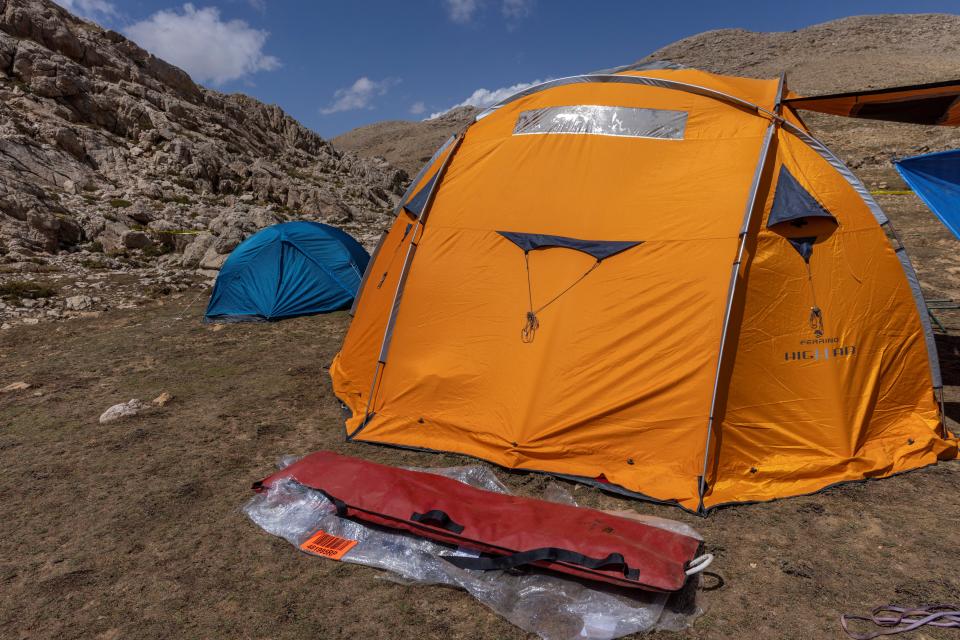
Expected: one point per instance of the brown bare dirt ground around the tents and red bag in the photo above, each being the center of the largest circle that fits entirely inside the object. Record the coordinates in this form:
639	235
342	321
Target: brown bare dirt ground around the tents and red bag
134	530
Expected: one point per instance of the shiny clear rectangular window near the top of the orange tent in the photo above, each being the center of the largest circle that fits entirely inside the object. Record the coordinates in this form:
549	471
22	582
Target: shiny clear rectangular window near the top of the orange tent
631	122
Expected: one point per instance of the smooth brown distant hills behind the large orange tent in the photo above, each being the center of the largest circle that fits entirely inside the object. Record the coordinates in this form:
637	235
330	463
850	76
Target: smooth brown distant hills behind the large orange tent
861	52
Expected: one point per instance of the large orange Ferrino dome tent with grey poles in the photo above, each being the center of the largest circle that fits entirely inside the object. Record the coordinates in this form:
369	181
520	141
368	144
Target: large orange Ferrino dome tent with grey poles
655	281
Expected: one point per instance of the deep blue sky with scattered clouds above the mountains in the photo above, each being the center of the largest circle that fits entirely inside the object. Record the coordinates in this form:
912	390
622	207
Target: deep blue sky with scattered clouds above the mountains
338	64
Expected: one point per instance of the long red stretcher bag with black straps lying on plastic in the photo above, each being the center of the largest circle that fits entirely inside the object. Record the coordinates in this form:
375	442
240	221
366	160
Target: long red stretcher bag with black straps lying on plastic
508	531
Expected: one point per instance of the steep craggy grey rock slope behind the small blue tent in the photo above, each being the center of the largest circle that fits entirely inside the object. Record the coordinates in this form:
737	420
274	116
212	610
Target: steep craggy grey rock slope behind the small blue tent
113	160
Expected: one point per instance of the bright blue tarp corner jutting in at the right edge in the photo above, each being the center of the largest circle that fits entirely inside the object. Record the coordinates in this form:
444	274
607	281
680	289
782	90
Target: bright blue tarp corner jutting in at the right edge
935	177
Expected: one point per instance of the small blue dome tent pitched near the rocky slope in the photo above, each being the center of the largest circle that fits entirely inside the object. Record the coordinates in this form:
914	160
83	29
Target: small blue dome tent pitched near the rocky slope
290	269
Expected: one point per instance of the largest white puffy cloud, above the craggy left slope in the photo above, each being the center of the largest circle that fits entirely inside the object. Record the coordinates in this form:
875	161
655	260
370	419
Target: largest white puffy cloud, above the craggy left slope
209	48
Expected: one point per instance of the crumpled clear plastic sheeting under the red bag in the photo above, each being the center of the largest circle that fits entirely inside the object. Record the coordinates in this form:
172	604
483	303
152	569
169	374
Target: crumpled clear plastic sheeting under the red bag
552	607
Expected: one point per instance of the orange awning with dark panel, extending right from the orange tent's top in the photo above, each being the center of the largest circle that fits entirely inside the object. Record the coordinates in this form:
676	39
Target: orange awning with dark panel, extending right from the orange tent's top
936	103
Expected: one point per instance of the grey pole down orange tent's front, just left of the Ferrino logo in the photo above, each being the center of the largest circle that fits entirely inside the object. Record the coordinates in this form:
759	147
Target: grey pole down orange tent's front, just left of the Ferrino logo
752	201
